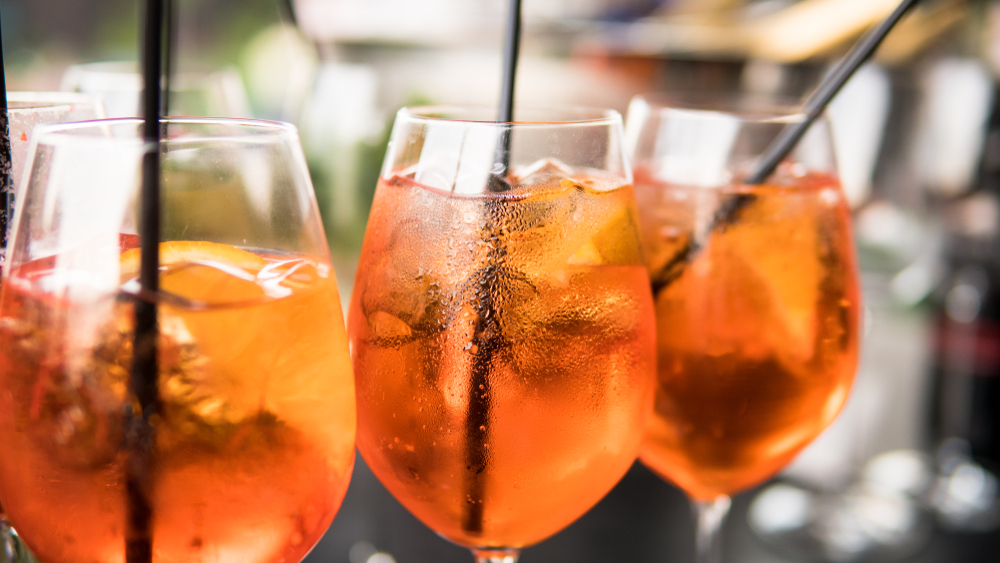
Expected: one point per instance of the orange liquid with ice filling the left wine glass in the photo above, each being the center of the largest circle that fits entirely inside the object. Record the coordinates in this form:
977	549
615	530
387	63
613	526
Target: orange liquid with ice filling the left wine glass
254	444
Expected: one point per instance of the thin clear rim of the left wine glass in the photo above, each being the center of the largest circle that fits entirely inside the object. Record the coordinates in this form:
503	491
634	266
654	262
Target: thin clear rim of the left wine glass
279	130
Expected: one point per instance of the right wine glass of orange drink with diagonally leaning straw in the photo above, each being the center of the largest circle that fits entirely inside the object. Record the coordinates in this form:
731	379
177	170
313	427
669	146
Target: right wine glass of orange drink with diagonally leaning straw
756	291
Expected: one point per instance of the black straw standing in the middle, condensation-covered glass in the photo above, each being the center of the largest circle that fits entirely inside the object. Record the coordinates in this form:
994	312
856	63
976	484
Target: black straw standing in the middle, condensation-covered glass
490	283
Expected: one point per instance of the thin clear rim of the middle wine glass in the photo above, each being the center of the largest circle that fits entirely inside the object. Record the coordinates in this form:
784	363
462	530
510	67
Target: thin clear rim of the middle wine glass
576	115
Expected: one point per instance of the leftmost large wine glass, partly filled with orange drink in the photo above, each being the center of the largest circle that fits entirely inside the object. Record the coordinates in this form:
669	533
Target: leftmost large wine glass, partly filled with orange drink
253	439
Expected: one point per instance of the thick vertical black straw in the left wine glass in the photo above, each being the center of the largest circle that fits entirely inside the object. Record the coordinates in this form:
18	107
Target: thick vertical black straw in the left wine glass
140	439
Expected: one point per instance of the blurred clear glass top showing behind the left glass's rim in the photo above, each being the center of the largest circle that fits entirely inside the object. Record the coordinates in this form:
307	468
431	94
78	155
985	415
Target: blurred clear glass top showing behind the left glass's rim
218	93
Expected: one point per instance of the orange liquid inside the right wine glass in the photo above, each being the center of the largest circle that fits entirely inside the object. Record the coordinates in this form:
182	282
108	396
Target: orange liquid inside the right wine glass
757	338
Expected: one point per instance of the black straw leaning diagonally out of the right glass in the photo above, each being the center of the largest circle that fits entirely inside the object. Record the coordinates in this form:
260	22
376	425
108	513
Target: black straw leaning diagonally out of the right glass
785	142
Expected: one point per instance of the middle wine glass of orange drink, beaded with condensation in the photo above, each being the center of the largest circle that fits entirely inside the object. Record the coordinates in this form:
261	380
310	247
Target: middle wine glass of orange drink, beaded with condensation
501	324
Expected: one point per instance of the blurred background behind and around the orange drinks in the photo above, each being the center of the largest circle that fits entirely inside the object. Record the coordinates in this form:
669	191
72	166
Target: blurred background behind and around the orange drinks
909	471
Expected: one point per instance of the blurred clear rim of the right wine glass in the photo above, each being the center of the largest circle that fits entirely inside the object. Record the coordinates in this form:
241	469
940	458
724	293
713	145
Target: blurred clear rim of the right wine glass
748	108
